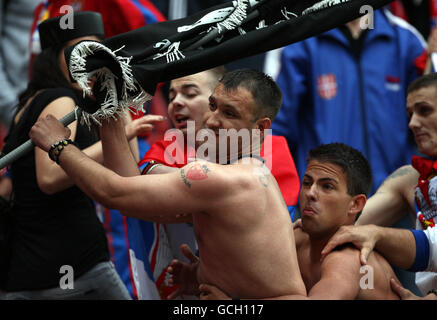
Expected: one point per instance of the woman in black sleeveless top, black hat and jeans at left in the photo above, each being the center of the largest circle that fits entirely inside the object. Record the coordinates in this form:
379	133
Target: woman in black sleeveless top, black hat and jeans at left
57	245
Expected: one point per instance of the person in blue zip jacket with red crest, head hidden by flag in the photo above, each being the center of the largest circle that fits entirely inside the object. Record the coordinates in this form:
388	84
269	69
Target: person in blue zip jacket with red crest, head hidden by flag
349	85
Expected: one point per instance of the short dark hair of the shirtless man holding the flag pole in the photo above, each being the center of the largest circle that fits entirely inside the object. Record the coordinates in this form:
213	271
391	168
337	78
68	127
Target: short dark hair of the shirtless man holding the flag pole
263	88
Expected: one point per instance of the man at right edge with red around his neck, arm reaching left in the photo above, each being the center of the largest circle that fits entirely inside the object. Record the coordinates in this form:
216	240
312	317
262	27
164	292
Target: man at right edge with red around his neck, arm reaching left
406	190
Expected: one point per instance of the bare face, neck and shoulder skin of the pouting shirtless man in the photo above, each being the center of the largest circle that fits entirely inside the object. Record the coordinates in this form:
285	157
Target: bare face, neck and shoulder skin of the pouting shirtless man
326	206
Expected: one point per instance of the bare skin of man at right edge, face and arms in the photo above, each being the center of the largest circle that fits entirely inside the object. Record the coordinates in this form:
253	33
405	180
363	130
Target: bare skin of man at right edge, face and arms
396	195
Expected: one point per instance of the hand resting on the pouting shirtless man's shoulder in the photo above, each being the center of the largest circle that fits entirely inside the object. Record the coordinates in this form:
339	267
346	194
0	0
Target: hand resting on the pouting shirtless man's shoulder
363	237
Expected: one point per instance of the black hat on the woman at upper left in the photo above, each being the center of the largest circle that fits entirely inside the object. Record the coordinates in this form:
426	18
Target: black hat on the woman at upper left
85	23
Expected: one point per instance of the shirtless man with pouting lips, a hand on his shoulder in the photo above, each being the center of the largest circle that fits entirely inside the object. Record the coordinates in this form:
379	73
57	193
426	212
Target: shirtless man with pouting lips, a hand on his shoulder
333	192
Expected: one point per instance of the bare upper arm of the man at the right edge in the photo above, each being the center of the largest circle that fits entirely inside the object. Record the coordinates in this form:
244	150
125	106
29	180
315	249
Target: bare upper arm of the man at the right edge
393	199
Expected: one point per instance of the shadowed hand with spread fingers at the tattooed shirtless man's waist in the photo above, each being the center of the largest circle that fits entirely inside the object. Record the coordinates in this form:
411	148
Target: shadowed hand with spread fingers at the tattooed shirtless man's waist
184	274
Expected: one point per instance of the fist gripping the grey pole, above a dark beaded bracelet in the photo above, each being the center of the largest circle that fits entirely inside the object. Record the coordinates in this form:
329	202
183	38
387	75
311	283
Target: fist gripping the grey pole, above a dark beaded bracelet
47	131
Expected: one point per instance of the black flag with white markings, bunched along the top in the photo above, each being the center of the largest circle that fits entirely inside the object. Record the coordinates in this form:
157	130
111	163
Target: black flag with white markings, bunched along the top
145	43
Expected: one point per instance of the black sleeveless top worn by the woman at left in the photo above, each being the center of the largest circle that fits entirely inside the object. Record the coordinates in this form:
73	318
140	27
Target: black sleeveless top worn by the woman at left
49	231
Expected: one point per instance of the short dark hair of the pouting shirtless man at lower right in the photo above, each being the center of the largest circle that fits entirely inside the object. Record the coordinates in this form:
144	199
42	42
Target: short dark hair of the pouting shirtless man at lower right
354	165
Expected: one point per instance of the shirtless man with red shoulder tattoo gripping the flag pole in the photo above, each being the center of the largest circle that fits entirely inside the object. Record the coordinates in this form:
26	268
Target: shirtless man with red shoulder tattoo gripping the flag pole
242	225
